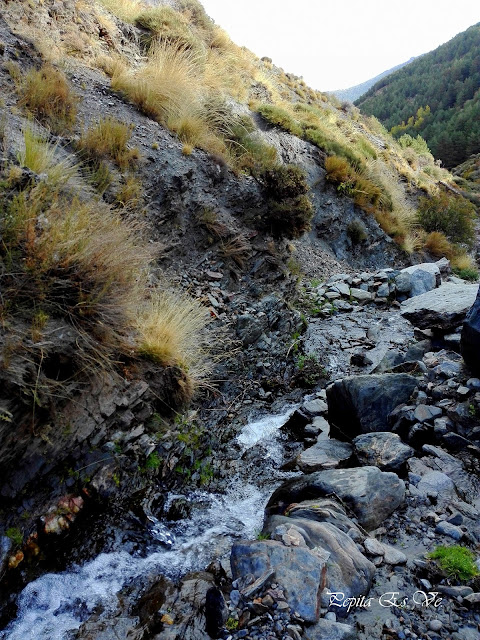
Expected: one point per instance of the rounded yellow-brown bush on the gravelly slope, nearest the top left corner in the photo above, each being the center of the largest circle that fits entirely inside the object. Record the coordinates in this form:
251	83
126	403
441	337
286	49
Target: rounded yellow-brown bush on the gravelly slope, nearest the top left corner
46	94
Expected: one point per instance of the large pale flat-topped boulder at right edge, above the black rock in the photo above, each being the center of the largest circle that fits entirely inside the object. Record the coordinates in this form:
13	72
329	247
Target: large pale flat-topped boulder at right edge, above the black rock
442	309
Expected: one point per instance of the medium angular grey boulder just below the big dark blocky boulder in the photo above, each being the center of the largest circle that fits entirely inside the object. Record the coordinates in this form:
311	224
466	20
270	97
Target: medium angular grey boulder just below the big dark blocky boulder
383	449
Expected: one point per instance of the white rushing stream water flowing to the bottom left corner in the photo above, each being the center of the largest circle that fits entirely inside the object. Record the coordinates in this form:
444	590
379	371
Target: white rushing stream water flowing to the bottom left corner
54	604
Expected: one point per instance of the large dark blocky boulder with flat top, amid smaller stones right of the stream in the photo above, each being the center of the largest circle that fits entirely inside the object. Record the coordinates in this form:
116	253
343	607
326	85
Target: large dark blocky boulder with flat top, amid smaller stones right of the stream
361	404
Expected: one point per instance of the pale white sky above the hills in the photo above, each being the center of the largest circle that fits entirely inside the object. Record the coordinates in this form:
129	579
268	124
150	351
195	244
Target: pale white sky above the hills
336	44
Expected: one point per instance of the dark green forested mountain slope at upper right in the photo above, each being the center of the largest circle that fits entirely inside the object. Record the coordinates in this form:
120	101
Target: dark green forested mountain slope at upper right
437	96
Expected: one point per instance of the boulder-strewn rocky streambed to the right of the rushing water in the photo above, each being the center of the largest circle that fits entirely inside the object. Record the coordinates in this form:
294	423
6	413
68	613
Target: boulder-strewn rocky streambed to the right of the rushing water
384	463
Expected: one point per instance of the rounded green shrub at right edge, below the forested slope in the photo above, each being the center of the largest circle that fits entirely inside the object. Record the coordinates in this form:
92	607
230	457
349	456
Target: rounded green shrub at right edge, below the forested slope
451	215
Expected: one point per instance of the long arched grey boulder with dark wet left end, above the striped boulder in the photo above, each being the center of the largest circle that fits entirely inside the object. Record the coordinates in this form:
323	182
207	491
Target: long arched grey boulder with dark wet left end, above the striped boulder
371	494
